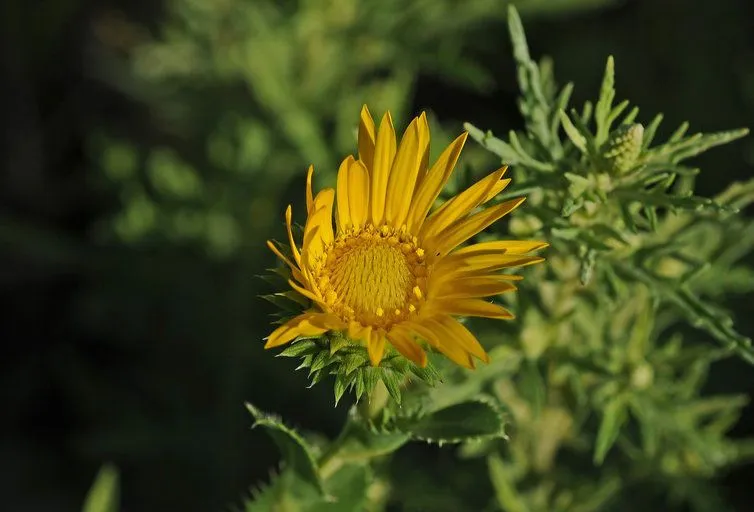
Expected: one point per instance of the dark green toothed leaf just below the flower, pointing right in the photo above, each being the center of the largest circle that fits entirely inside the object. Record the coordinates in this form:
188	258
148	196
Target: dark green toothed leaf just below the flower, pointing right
464	421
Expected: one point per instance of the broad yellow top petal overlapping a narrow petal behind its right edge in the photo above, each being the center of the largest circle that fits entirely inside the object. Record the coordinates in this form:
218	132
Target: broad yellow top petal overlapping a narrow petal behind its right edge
403	175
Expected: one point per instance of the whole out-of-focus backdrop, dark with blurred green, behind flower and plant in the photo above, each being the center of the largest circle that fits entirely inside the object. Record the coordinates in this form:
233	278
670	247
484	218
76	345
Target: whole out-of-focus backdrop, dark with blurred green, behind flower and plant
149	149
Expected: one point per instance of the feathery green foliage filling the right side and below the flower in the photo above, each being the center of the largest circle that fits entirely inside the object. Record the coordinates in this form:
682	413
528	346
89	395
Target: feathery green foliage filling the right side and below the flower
601	391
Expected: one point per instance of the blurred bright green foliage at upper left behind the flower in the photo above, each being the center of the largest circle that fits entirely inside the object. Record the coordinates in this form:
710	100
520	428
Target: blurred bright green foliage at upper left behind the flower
286	79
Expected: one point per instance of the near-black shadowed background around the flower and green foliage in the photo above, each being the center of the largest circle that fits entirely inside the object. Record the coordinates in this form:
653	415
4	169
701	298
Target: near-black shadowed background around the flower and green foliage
143	355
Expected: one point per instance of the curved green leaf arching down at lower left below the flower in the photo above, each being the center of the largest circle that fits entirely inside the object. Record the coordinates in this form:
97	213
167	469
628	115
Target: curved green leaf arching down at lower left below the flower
295	451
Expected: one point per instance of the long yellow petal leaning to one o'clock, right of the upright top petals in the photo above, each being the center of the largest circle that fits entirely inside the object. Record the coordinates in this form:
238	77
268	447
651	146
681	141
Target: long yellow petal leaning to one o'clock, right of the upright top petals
431	184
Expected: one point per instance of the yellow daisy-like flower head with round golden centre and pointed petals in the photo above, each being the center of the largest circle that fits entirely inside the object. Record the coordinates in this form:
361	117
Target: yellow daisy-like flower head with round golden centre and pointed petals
389	272
